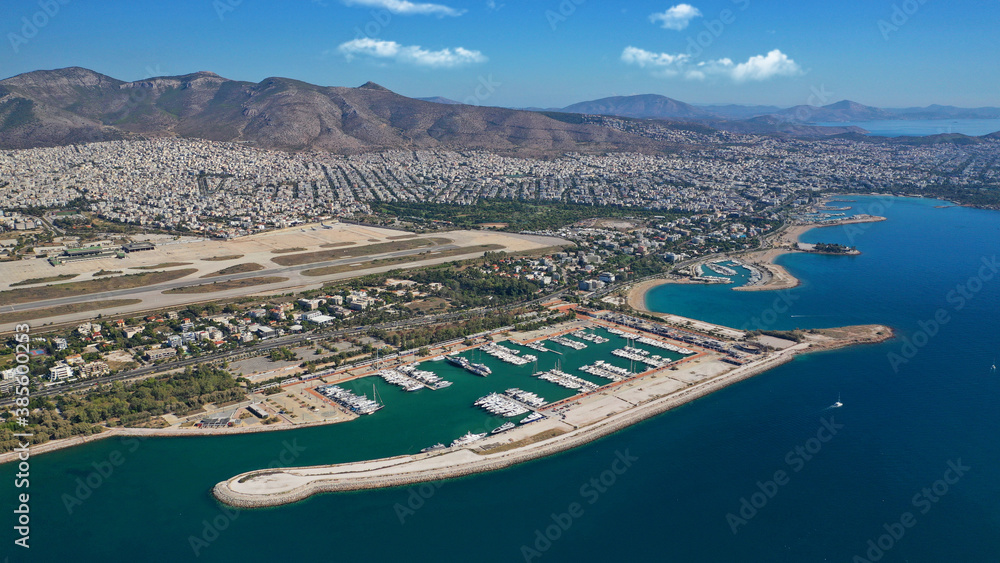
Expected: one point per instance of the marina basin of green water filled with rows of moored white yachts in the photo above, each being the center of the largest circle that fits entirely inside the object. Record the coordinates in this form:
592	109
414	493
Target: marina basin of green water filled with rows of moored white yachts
596	360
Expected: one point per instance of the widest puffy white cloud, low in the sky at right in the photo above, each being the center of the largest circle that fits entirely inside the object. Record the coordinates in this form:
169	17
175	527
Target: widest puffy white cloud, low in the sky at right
756	68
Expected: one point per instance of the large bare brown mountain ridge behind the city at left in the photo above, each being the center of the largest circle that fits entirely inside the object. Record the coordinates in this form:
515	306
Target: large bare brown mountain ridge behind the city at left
76	105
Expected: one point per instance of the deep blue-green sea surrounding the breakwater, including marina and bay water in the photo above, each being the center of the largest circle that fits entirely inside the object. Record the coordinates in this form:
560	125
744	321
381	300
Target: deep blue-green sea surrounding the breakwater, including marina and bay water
686	470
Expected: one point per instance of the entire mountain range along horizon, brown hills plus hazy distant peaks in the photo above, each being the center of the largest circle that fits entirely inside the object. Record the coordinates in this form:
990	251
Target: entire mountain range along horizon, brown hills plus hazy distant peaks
76	105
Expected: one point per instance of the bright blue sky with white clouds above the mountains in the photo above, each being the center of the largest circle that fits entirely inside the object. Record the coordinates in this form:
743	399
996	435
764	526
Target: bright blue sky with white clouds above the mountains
544	53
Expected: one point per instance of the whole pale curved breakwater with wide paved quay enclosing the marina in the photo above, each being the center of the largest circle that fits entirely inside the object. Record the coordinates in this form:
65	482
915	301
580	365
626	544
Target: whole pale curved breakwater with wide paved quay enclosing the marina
592	414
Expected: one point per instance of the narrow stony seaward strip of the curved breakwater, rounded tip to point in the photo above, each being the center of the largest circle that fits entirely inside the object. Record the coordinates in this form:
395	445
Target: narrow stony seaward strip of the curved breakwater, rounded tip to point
274	487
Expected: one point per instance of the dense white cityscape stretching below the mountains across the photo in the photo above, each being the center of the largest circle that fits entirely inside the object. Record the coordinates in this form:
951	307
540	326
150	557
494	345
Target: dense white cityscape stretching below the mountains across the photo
226	190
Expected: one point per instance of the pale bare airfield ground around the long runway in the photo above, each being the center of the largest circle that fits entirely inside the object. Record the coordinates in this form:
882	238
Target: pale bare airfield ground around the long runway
205	257
